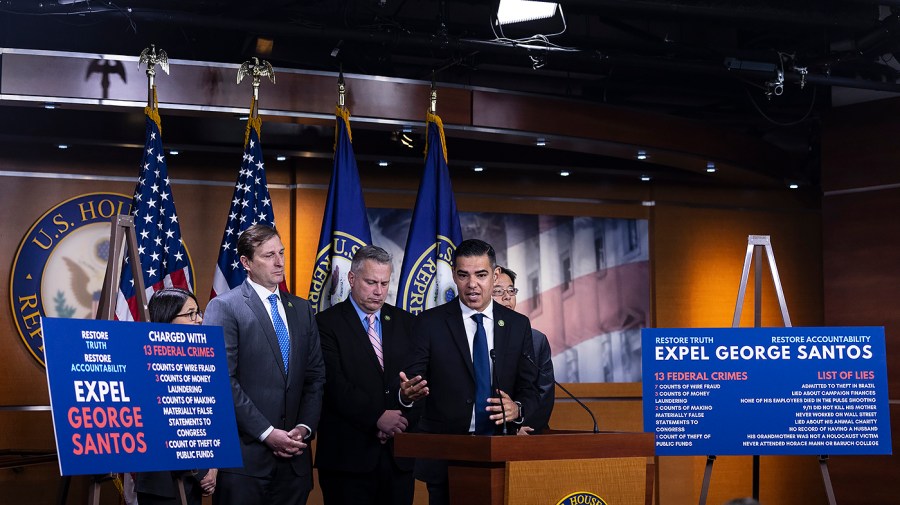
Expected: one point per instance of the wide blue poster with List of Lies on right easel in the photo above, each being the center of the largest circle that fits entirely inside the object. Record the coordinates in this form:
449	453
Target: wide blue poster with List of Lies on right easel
766	391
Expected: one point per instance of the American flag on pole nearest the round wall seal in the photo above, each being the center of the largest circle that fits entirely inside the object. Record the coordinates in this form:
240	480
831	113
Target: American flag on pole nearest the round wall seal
164	259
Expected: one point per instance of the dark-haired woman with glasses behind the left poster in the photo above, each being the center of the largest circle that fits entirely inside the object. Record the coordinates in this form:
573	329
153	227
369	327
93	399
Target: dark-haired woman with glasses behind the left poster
177	306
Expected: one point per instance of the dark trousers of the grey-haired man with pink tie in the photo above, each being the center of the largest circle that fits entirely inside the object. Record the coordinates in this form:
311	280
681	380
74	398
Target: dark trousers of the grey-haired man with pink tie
386	485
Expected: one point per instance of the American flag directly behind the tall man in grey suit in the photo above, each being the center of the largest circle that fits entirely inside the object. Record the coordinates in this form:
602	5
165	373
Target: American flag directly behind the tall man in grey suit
250	205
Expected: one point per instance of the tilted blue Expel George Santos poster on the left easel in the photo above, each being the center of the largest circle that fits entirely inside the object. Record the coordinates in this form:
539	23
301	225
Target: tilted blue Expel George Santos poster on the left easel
139	397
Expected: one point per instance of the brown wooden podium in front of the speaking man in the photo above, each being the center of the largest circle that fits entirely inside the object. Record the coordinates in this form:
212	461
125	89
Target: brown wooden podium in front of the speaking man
540	469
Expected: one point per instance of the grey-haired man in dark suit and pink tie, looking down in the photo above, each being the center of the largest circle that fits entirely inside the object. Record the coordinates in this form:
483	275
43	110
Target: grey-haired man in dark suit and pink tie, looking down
365	343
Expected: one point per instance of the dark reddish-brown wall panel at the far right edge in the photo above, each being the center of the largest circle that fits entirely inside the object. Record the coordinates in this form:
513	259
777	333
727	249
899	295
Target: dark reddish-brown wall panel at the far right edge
861	248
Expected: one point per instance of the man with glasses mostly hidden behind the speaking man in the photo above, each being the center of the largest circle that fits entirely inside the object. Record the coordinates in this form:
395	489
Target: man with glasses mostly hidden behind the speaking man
504	293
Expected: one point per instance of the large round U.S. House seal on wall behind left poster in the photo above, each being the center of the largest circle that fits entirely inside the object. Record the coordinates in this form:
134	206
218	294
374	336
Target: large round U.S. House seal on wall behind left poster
59	267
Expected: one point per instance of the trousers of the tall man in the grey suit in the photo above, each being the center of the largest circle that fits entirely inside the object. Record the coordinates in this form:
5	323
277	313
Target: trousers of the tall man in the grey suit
283	487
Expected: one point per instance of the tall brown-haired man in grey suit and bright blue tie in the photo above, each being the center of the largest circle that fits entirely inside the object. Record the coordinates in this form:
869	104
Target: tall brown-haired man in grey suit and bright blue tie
277	376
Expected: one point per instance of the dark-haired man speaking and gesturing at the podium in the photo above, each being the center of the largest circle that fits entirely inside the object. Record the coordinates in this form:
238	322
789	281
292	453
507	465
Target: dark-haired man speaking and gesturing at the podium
466	391
